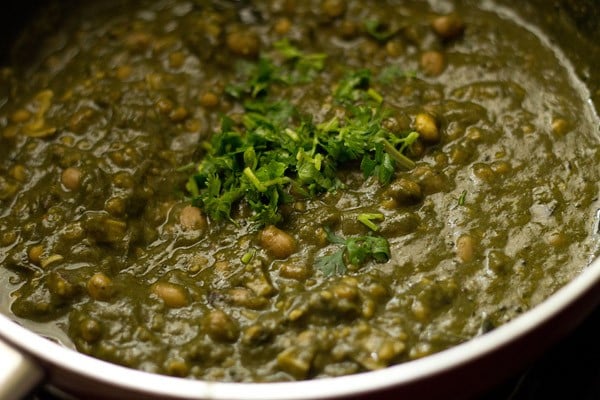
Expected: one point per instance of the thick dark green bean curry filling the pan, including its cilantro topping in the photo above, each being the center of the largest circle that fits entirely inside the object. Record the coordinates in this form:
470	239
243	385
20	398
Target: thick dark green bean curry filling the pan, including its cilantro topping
279	190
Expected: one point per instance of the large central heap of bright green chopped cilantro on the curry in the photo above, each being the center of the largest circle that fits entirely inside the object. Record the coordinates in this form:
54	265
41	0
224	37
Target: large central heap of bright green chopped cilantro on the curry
273	151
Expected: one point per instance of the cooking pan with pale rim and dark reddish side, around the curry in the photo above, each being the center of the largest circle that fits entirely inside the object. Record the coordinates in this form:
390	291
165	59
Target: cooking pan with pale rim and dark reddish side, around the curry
28	359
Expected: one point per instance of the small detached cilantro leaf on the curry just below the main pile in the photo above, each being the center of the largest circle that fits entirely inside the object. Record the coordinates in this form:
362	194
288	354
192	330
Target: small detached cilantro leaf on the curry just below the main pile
357	250
